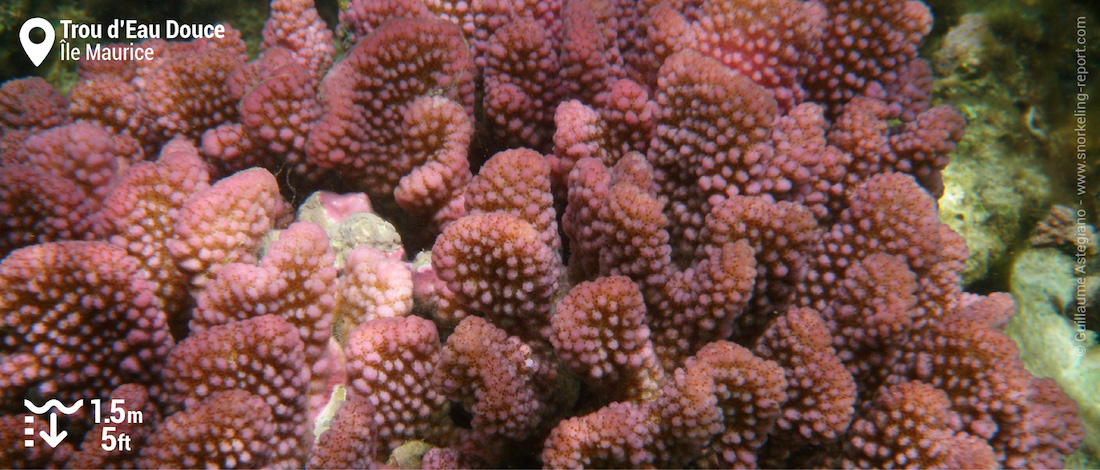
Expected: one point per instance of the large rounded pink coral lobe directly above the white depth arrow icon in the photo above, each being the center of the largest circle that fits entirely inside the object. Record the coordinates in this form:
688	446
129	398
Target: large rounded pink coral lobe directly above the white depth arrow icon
80	320
